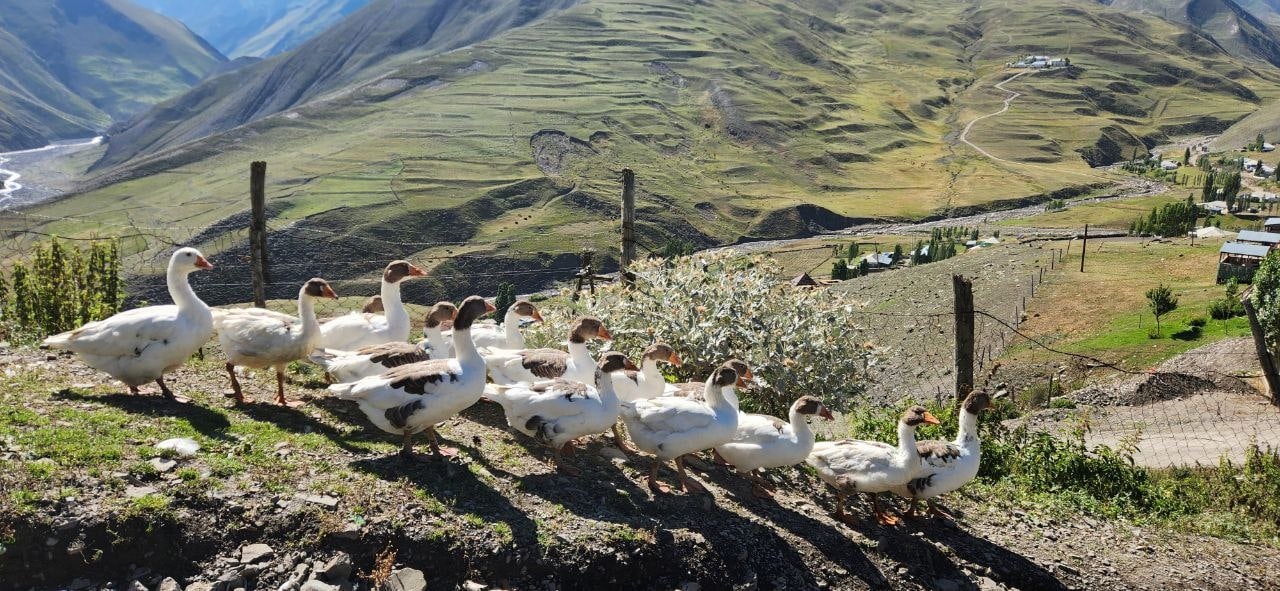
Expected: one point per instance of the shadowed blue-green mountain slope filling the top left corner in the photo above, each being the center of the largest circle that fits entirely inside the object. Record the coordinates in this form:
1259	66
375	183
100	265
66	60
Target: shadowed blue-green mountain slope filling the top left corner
70	67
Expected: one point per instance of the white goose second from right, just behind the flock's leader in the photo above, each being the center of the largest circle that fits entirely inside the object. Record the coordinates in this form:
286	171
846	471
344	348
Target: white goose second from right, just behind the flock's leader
872	468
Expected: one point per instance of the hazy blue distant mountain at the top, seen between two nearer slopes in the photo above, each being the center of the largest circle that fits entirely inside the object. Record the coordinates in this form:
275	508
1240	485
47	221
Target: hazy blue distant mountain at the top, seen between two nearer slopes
257	29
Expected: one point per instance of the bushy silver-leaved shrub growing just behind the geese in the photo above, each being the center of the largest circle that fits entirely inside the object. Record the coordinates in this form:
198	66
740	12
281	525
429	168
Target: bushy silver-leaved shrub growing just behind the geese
715	308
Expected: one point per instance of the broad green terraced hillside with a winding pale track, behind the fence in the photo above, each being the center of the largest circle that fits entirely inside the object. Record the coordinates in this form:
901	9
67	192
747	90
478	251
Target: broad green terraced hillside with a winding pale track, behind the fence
765	121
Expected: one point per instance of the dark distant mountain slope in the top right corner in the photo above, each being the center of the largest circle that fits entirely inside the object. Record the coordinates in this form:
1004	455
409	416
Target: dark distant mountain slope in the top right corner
1238	30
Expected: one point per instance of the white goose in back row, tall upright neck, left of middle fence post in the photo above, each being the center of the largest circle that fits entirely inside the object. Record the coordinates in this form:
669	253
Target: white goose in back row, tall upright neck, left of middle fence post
363	329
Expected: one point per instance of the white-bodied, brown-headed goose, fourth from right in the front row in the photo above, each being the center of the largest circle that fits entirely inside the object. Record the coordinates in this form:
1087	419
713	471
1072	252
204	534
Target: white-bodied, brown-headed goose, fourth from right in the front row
674	427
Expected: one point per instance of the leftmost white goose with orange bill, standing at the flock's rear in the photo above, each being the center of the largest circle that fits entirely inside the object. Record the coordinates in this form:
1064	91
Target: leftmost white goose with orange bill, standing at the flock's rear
141	345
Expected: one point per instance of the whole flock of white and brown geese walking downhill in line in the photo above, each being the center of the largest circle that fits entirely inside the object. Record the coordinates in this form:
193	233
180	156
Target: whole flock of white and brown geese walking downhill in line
556	397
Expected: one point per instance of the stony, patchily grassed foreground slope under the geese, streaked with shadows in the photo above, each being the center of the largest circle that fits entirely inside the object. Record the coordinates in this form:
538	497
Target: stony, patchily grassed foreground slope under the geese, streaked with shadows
312	498
